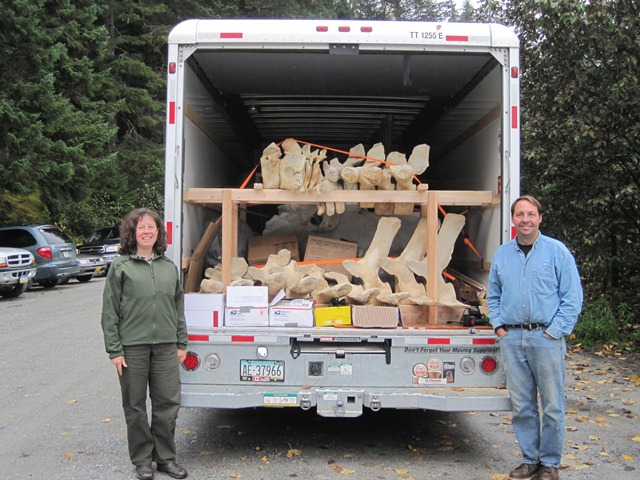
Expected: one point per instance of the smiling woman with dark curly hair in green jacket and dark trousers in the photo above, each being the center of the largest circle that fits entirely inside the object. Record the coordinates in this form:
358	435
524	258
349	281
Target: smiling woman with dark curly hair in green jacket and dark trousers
146	338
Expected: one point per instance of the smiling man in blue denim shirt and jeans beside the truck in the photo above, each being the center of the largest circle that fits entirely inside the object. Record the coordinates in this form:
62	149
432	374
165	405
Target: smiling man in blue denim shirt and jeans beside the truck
535	298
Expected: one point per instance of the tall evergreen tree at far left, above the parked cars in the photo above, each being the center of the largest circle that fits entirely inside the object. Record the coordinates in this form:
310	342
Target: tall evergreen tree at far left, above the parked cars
53	113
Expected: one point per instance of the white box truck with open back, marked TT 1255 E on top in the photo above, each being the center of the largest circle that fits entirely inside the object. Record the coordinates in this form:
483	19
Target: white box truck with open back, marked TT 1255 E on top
237	86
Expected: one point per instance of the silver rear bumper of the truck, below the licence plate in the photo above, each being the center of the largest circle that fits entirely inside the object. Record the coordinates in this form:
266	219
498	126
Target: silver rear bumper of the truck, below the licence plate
348	402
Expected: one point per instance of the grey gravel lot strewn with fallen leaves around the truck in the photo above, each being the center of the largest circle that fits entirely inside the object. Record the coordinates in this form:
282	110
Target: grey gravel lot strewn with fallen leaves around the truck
60	417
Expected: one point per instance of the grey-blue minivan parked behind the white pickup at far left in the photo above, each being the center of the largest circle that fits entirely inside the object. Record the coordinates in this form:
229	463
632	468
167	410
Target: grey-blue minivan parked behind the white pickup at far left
53	250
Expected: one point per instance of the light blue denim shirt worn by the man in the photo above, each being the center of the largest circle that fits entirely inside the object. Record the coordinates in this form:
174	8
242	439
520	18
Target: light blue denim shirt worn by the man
542	287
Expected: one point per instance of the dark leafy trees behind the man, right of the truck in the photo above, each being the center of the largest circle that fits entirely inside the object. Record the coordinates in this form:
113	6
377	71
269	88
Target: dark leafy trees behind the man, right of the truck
581	131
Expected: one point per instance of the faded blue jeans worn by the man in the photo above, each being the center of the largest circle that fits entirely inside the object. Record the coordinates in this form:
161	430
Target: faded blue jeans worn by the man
535	365
